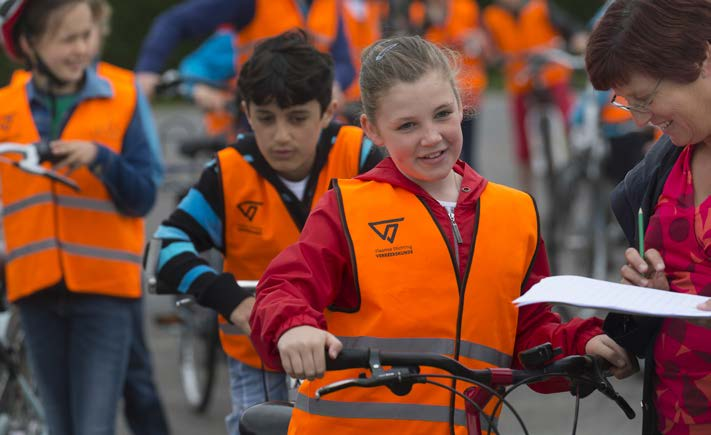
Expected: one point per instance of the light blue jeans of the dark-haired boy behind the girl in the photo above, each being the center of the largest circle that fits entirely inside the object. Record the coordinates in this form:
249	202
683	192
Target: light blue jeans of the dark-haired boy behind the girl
247	389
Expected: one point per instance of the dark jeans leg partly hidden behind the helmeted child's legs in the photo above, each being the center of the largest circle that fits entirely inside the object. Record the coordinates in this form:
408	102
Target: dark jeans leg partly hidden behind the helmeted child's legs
142	406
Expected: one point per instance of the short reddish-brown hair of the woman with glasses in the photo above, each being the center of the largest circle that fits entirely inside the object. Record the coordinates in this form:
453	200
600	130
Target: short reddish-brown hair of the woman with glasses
662	39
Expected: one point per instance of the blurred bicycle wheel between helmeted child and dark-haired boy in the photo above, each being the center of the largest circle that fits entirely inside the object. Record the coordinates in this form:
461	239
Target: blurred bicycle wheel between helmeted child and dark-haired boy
198	355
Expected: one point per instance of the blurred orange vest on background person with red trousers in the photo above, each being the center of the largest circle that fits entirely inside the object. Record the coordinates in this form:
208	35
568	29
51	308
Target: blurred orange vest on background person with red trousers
516	37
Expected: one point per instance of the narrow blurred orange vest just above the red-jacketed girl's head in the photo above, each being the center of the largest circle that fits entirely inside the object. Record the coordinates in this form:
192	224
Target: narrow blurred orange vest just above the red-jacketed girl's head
362	27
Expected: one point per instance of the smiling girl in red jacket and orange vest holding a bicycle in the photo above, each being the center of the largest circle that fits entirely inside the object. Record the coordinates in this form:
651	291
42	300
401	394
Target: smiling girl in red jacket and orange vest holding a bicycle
421	253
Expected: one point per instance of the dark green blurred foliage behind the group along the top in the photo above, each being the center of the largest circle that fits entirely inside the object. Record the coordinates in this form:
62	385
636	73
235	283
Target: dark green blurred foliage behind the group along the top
132	19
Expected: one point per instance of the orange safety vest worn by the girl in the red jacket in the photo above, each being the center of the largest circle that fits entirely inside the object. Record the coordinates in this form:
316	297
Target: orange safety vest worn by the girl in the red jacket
409	289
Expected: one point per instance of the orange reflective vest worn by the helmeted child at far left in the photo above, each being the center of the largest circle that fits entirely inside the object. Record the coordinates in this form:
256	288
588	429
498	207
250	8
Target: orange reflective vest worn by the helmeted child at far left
54	233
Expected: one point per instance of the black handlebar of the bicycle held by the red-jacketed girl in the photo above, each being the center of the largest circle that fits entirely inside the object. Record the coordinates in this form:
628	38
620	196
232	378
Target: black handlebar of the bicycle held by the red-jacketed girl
587	368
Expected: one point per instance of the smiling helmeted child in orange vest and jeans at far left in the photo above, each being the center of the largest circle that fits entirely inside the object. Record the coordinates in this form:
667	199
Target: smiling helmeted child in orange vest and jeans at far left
74	258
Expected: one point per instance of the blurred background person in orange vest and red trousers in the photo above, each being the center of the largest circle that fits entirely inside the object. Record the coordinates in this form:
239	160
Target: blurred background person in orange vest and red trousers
518	28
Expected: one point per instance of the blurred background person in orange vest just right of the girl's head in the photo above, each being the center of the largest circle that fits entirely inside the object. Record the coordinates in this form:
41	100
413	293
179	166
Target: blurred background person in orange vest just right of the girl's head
455	24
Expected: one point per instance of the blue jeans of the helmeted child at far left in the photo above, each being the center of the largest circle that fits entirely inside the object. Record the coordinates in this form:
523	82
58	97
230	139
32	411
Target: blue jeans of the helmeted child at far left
78	347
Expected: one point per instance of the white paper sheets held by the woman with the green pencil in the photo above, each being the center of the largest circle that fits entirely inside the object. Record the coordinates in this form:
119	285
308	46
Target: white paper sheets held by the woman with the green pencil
592	293
